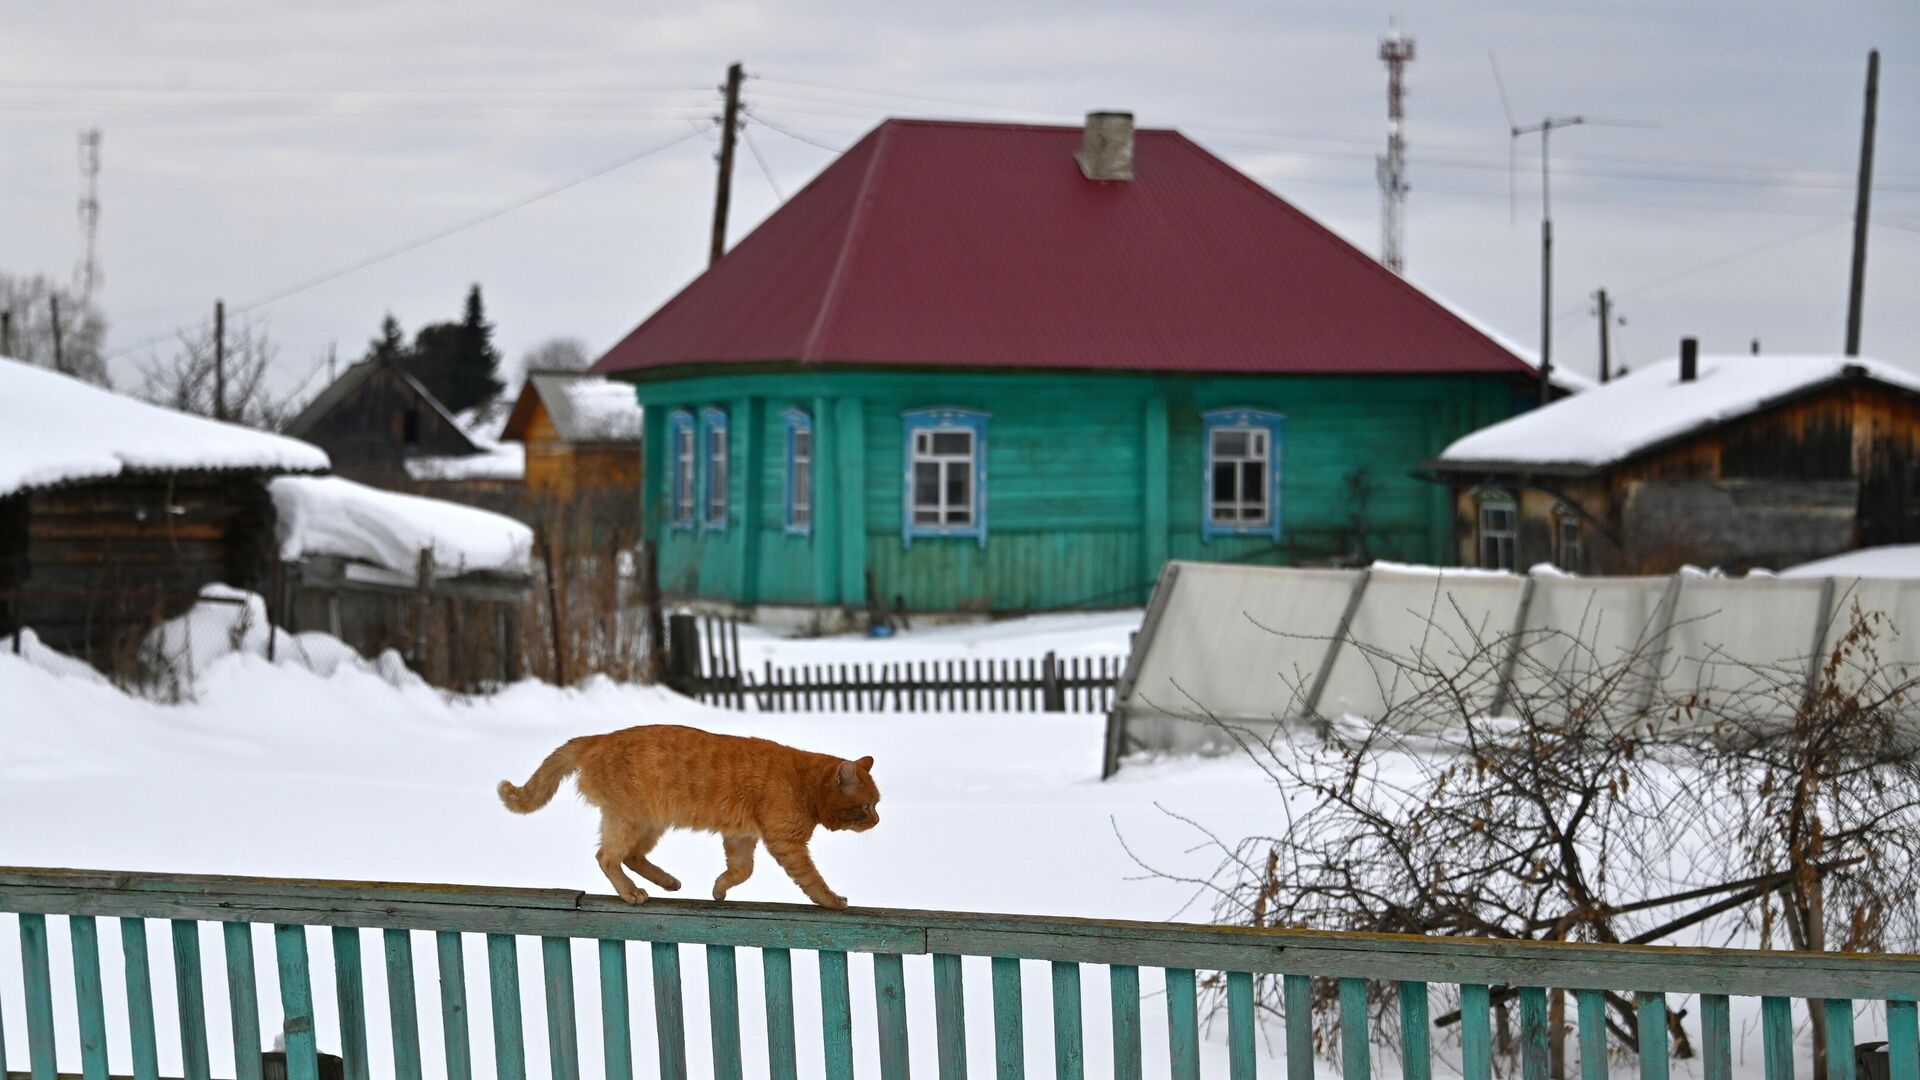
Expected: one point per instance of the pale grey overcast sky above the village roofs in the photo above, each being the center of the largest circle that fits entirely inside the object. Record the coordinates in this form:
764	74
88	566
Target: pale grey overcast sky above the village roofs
256	149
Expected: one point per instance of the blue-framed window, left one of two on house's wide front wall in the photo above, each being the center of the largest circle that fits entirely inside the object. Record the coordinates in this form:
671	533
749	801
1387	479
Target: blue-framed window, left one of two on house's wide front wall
946	476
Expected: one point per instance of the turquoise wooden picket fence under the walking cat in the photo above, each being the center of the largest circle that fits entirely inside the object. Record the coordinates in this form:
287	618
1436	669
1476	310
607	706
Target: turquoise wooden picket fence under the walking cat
1483	971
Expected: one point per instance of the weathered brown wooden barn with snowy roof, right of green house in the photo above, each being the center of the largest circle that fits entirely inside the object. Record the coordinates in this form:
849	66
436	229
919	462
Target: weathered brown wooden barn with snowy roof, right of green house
1731	462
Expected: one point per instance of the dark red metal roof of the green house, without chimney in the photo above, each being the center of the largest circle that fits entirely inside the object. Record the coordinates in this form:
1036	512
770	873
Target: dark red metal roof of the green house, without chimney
982	245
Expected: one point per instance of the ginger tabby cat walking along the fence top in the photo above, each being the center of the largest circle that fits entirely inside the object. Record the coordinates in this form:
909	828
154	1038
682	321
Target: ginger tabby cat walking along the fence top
660	777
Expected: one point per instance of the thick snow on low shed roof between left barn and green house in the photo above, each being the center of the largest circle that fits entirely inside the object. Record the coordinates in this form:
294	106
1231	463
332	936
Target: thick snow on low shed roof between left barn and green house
331	516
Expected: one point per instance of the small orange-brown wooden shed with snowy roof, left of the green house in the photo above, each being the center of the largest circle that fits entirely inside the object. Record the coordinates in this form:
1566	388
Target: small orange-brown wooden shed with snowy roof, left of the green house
583	454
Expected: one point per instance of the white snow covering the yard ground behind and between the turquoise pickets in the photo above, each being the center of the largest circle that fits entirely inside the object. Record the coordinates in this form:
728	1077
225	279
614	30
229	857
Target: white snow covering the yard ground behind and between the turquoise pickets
347	773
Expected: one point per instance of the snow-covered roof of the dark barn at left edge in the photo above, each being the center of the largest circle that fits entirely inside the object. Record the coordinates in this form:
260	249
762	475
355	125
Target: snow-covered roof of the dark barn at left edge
57	430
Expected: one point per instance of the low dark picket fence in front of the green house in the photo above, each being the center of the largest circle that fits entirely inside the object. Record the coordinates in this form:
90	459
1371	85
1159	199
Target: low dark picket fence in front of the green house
704	664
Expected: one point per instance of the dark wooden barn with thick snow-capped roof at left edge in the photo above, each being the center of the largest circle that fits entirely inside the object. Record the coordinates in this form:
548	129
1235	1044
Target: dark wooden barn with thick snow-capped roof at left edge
114	514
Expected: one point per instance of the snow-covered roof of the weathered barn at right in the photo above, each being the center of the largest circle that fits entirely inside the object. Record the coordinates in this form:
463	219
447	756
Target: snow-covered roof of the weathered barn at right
1643	410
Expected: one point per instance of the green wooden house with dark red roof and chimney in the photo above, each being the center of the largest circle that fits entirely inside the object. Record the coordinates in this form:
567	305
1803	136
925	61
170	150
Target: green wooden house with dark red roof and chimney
1011	368
